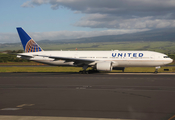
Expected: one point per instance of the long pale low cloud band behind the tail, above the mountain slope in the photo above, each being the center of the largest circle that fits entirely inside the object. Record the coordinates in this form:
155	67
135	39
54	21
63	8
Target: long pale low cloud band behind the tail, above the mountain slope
59	35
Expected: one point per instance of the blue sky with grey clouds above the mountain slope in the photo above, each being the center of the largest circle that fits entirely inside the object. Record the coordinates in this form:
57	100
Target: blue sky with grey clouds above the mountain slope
71	19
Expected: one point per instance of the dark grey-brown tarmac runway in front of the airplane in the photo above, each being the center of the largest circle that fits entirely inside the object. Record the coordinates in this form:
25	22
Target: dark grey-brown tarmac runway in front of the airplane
87	96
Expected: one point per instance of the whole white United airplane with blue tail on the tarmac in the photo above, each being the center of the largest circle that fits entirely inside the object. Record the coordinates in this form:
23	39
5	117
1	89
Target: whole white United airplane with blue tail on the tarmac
98	60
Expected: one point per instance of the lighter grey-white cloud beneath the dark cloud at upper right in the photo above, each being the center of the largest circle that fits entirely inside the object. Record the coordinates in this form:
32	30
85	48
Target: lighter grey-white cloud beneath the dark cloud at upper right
107	21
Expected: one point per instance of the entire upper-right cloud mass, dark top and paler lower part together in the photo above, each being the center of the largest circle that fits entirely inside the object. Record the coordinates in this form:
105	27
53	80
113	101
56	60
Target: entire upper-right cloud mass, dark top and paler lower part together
119	14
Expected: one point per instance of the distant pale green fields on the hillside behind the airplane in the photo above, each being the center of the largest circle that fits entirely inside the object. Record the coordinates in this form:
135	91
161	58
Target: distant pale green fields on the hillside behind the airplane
159	46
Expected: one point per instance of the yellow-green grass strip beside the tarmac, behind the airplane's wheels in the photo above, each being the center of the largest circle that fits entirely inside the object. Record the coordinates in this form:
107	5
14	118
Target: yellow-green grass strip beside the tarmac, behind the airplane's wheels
77	69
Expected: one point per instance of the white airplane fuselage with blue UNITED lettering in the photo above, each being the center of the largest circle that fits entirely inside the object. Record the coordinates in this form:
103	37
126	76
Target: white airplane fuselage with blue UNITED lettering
118	58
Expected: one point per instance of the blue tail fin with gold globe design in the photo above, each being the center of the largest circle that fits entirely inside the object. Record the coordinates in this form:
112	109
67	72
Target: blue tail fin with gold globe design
28	43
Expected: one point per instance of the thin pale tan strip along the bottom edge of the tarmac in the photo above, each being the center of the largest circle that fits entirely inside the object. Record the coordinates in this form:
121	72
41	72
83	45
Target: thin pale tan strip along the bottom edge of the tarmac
5	117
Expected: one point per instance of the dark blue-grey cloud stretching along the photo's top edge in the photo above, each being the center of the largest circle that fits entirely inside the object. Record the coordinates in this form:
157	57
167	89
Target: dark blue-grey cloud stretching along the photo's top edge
118	7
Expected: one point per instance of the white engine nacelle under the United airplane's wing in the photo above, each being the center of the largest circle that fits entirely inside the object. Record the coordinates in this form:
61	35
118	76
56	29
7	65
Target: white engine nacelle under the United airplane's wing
104	66
